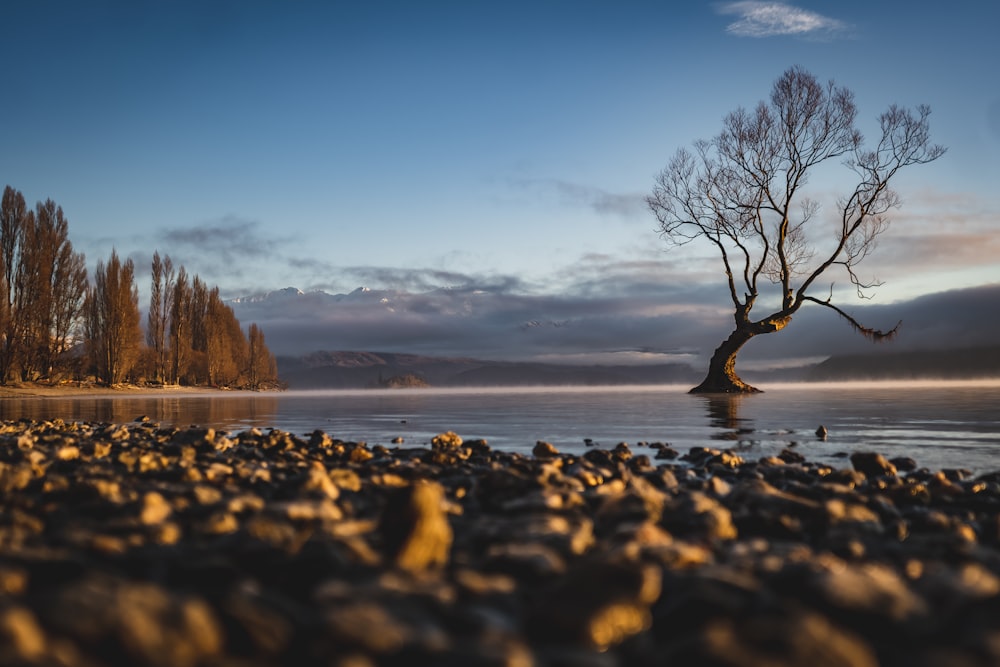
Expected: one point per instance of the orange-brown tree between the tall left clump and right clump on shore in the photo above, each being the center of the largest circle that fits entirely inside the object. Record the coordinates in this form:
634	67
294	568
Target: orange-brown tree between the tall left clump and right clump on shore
113	319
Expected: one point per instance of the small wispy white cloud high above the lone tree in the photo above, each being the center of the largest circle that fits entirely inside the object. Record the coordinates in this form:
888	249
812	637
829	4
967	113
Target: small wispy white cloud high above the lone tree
771	19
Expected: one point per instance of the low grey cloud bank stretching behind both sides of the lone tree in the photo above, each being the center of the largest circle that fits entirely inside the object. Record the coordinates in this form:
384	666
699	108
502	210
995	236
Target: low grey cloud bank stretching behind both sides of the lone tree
644	327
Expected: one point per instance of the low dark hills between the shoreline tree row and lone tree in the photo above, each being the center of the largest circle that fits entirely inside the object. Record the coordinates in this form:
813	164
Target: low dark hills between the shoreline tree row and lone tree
344	370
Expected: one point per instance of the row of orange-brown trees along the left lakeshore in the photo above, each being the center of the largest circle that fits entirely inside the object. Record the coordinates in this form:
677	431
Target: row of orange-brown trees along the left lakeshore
58	324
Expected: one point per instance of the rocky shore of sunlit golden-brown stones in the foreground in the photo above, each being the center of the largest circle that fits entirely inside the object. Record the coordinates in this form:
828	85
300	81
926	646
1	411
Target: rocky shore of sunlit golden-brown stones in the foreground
132	544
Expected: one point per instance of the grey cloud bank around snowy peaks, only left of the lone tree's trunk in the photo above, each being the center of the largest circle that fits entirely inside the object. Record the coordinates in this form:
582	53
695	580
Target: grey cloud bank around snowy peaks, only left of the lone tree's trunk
498	320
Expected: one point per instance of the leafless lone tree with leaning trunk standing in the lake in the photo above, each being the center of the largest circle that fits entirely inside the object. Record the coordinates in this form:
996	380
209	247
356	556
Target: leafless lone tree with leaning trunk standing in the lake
743	192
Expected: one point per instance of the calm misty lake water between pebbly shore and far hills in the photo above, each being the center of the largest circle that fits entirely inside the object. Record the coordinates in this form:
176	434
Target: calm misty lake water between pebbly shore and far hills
941	425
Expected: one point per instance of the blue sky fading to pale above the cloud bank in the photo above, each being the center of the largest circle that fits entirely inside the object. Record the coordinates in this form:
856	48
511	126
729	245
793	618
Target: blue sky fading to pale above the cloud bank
503	148
